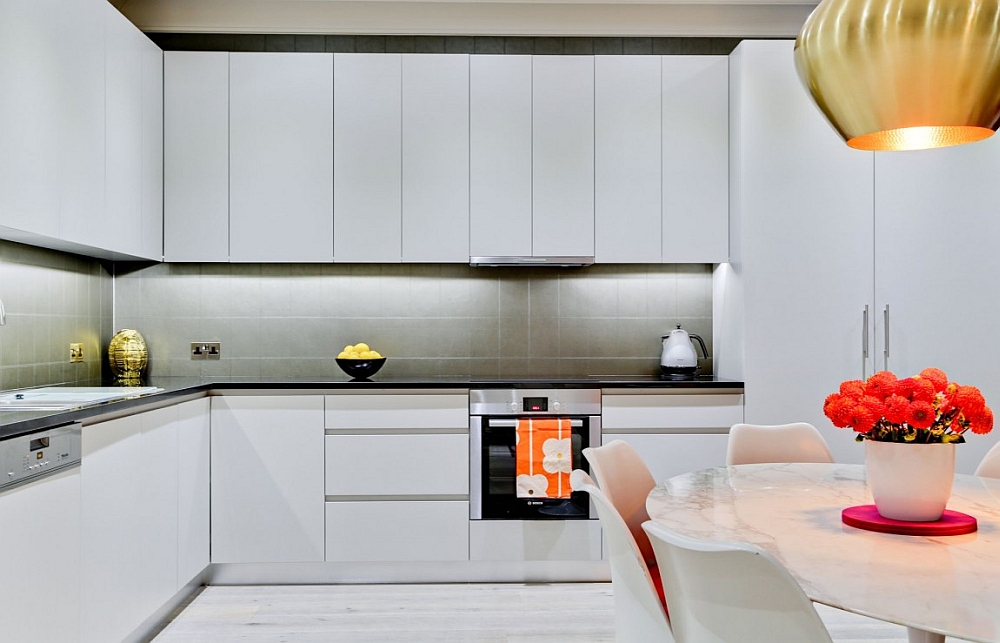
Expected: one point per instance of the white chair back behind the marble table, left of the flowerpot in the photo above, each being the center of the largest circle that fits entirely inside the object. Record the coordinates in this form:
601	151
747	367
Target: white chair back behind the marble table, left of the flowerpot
796	442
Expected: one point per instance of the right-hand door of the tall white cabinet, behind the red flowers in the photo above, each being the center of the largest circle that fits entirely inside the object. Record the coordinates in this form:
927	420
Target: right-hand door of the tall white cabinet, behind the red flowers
937	269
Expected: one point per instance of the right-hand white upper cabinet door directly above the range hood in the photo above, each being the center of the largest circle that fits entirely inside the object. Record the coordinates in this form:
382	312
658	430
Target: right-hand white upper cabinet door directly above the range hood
562	153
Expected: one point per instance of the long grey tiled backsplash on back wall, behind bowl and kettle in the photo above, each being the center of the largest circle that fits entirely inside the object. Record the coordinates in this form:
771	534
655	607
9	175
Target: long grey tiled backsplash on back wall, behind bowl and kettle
291	320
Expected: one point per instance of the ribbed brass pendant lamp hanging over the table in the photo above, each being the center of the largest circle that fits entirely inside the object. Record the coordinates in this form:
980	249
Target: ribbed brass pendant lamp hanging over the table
904	74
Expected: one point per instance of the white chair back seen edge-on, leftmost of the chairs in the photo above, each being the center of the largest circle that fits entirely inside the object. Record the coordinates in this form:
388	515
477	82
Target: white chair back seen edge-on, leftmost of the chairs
639	615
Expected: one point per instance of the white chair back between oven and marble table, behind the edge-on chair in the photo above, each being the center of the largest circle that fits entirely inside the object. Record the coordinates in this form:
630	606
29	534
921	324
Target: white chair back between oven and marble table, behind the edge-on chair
626	481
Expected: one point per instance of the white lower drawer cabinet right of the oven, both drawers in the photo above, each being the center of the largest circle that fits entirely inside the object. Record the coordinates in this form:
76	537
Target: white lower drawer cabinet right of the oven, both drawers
674	433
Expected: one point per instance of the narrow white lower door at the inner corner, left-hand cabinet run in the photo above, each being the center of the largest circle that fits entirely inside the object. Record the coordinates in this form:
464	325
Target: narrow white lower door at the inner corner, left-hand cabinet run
193	494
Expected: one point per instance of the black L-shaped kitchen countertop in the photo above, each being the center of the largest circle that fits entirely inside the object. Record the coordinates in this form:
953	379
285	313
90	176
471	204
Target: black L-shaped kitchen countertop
14	423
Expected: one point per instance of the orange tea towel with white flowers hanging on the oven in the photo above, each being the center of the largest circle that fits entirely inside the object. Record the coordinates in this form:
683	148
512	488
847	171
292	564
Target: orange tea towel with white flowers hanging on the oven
544	458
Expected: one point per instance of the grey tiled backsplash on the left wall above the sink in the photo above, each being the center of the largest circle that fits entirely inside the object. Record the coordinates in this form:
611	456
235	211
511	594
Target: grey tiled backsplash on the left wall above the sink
52	299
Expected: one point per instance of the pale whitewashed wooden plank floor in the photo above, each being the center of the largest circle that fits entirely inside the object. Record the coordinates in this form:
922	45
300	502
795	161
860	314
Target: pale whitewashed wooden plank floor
487	613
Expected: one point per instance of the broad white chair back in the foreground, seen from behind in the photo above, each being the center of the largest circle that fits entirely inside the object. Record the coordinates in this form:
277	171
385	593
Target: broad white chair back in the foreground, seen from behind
731	593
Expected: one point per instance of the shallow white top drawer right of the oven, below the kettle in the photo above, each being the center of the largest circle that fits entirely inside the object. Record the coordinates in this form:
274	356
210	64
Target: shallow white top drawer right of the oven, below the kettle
671	412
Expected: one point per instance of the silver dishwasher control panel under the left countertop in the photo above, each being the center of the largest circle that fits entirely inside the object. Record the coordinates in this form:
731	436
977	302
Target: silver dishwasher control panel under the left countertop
27	457
